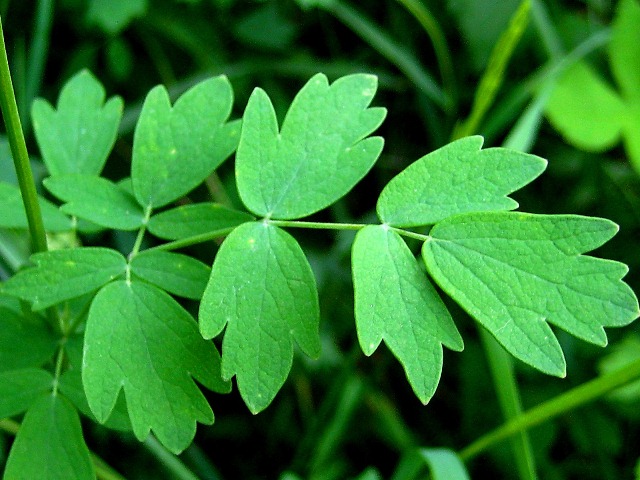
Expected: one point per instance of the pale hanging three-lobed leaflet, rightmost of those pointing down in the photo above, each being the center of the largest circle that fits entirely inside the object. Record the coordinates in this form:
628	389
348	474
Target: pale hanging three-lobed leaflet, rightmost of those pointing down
395	301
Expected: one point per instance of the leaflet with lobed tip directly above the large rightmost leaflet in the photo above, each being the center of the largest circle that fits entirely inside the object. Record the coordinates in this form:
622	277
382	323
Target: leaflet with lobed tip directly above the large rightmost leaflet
457	178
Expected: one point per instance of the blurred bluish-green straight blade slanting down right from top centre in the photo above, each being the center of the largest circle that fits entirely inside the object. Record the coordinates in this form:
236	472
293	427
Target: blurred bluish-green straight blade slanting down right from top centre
389	49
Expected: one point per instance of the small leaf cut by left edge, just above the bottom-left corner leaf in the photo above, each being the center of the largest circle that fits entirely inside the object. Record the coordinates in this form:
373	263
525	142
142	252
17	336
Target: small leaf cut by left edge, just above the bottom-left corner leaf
19	389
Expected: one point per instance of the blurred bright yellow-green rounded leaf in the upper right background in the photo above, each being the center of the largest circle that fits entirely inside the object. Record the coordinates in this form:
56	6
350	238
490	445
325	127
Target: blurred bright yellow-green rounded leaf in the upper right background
585	109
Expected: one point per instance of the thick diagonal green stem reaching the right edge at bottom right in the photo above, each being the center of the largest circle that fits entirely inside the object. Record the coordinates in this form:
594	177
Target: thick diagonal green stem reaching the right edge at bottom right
559	405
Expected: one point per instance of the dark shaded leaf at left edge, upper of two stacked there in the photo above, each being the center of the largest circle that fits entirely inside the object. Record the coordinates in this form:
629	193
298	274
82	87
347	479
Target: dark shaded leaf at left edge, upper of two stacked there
24	343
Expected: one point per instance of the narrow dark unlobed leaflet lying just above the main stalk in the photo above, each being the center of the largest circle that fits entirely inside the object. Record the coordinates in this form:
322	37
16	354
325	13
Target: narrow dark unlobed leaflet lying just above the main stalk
196	219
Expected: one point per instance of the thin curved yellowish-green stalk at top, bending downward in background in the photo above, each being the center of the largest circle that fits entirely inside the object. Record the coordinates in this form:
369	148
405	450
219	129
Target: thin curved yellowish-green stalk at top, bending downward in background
443	56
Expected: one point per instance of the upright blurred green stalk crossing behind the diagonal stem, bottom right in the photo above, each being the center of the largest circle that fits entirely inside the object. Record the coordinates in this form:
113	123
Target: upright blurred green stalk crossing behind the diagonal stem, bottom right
506	388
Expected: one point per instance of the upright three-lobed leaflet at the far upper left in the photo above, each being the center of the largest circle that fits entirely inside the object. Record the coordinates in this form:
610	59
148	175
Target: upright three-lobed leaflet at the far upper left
78	136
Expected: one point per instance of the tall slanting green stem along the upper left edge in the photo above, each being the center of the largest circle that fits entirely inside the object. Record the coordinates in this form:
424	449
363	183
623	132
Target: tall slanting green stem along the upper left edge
19	152
